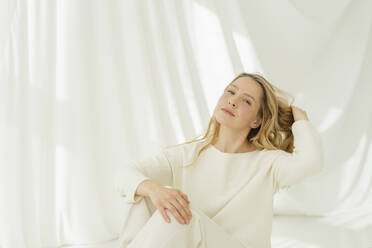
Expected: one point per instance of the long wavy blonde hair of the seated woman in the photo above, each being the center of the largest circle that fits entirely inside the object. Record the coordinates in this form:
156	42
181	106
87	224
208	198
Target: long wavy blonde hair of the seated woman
275	111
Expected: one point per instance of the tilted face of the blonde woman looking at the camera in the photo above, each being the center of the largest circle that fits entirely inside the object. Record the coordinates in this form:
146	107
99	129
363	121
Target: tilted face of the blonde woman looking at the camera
243	98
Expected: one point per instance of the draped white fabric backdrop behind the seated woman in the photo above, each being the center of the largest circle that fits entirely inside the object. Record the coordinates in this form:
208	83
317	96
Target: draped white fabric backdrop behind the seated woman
89	85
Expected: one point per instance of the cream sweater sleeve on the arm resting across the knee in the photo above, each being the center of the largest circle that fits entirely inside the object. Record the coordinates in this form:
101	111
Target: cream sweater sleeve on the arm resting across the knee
157	168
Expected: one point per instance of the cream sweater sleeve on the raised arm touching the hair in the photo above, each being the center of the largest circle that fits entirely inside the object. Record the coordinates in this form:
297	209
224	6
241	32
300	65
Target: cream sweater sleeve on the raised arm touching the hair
306	160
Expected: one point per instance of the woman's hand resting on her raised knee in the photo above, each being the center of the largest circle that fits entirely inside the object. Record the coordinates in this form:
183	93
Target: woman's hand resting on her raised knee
174	200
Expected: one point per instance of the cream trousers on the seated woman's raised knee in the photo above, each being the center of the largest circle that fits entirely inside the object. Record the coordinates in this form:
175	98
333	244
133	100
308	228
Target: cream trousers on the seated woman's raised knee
145	227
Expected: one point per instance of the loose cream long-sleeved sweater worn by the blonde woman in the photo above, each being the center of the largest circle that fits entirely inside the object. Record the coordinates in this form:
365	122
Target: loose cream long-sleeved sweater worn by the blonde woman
234	189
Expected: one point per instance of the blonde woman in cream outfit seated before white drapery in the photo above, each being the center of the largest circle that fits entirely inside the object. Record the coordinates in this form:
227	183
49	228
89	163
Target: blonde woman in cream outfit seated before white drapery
217	191
